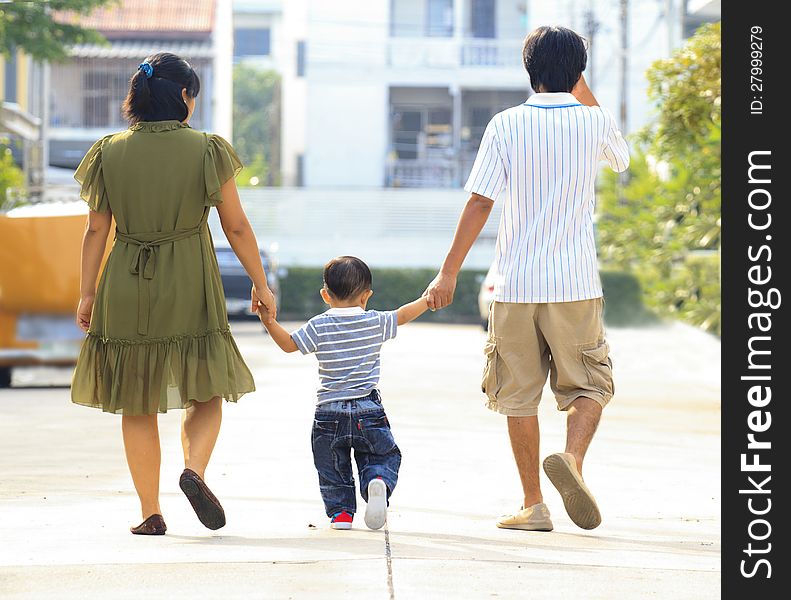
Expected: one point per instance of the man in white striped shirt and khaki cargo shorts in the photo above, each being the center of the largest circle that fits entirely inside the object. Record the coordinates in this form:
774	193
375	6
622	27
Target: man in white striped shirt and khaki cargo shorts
542	158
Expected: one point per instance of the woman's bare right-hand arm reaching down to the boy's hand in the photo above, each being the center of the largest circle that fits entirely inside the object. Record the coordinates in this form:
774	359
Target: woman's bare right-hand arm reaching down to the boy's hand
242	239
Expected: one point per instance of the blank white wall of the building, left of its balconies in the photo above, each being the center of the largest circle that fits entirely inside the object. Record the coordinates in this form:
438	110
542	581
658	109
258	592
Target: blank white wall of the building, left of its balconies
345	95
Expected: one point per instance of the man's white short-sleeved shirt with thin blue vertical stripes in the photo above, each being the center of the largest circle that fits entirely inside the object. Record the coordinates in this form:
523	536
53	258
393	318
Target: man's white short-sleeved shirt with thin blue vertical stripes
545	154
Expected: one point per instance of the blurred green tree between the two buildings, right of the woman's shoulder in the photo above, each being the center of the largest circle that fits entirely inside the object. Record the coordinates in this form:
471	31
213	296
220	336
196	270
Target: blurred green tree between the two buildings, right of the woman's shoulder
256	123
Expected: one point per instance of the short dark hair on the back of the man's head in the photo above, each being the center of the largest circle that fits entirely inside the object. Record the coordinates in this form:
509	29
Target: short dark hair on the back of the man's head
555	58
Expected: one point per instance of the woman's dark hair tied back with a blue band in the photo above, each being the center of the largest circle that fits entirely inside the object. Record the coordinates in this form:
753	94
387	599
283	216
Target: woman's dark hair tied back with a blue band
158	97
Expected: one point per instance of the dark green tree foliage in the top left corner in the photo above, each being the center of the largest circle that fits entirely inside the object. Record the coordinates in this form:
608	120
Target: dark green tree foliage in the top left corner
30	26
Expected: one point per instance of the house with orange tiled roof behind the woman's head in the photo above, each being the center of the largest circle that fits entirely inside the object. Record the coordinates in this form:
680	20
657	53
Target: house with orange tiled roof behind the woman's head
86	92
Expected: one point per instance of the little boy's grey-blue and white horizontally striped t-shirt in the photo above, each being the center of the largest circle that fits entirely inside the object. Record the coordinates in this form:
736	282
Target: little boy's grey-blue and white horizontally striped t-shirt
346	342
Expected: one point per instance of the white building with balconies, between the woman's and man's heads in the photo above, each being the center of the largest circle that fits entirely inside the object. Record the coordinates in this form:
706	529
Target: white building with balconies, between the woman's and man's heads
394	92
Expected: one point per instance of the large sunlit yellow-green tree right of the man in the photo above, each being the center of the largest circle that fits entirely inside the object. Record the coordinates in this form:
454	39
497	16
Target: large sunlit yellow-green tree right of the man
664	225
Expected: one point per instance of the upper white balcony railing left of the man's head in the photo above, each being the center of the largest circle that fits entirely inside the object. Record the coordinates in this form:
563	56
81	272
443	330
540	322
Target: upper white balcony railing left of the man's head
446	53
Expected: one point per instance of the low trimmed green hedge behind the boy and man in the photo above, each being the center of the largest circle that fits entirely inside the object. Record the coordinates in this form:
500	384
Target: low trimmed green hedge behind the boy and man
300	298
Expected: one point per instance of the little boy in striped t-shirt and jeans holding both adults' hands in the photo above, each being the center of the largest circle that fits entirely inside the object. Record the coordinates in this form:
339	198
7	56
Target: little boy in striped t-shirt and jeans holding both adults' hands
349	414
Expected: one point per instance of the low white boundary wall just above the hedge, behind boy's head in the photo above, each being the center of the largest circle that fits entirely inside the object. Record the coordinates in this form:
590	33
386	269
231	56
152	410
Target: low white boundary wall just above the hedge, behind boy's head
409	228
